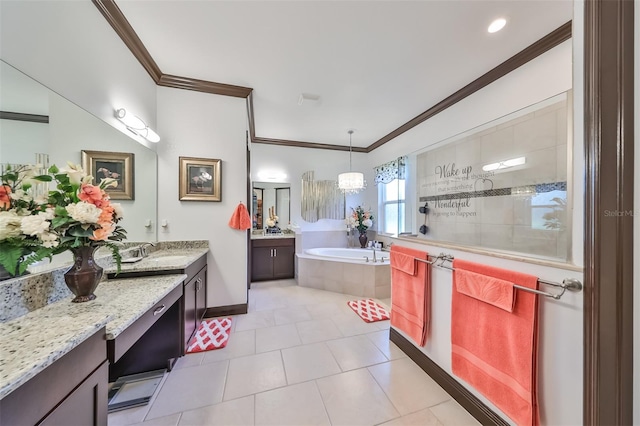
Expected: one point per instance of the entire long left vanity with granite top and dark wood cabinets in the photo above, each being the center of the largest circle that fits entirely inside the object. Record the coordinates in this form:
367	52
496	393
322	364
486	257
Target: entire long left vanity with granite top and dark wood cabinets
58	359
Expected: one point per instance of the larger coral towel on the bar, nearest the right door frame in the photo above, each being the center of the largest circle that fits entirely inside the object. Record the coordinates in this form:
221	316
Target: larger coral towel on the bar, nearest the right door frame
493	349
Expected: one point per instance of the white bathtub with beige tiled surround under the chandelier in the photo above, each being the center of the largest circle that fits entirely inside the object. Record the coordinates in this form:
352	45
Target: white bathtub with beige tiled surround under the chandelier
345	270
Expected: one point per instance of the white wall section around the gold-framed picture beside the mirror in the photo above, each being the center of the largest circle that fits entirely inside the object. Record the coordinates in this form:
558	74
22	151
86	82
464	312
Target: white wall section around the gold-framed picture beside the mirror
202	125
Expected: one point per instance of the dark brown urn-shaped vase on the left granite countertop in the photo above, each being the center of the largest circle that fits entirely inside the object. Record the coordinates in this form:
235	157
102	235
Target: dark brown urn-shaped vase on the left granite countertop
85	274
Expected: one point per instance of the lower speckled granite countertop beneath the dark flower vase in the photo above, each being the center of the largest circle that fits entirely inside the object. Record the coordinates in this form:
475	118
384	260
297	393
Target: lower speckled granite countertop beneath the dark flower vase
34	341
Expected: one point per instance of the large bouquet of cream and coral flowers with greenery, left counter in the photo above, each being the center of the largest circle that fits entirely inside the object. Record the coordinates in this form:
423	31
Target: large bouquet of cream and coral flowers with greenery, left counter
74	214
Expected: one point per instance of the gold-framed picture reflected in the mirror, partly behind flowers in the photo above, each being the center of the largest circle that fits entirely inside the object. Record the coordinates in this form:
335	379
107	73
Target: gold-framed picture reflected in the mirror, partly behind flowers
114	165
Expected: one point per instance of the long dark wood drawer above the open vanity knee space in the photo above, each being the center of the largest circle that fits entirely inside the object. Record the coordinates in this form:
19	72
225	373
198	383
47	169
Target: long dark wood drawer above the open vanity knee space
118	346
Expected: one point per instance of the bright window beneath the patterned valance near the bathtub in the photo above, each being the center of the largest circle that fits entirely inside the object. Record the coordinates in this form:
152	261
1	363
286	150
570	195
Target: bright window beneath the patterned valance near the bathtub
391	206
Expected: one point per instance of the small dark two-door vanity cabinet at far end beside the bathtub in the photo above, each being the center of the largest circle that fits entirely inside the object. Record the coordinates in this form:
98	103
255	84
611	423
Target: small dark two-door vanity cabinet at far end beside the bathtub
272	259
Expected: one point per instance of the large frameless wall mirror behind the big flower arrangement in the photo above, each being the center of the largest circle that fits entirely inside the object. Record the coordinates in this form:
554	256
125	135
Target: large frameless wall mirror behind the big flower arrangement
36	120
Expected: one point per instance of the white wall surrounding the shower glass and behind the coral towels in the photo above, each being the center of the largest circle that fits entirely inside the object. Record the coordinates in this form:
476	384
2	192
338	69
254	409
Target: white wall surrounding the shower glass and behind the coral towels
561	338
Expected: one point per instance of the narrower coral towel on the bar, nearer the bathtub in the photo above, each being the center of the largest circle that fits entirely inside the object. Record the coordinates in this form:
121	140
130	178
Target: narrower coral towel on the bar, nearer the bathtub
410	292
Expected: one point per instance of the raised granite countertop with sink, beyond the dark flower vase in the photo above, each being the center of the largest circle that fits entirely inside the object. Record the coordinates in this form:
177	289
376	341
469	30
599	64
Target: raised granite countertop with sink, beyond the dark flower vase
161	260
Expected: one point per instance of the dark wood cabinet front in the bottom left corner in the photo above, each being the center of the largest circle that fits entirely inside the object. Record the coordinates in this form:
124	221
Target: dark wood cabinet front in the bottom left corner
71	391
